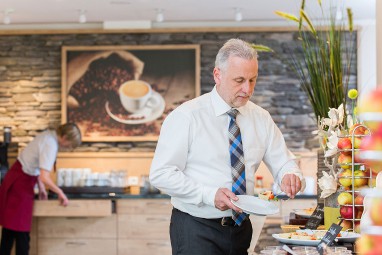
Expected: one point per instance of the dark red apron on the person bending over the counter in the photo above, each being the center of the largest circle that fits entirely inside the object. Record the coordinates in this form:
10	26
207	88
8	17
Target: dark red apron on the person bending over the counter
16	199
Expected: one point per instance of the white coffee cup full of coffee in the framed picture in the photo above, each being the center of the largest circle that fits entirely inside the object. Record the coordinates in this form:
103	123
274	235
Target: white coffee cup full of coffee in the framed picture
134	95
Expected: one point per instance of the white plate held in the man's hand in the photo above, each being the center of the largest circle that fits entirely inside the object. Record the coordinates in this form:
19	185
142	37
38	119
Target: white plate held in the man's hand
255	205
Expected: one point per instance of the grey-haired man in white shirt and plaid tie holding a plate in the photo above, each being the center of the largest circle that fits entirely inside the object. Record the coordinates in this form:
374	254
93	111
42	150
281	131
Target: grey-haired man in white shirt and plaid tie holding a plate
193	158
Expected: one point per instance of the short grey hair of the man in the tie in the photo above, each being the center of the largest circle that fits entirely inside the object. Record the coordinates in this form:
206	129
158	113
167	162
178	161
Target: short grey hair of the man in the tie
234	47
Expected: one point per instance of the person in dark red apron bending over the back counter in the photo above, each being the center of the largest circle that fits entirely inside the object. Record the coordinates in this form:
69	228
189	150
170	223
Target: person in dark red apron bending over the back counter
34	164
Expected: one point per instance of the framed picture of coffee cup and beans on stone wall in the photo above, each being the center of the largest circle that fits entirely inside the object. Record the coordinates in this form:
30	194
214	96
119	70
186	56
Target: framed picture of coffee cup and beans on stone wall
123	93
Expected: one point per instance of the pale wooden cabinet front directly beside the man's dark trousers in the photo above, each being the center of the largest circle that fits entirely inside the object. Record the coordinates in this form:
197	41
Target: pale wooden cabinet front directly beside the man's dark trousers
143	226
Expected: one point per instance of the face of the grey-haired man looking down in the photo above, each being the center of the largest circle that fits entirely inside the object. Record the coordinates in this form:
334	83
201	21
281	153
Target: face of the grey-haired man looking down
236	84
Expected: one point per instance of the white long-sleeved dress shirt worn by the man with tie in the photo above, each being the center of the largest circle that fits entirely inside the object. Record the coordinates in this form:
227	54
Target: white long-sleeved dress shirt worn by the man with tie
192	159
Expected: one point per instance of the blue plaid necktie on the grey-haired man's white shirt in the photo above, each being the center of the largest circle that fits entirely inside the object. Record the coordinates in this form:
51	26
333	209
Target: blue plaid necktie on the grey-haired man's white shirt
237	162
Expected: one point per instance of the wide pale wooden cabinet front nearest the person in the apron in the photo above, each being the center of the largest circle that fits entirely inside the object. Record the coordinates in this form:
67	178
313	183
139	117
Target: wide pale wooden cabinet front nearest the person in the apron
77	235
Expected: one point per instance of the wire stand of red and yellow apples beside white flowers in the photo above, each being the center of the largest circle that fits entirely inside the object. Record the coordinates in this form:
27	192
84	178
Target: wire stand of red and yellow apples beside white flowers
353	176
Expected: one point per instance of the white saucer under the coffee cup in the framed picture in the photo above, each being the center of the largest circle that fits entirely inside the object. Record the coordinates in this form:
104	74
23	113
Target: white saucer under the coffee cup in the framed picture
148	113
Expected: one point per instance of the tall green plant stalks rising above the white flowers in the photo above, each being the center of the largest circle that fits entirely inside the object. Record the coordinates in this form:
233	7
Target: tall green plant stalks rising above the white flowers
324	69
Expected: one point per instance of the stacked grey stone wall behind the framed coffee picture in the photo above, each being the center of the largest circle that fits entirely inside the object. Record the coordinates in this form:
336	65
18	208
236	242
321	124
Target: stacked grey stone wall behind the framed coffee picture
30	81
